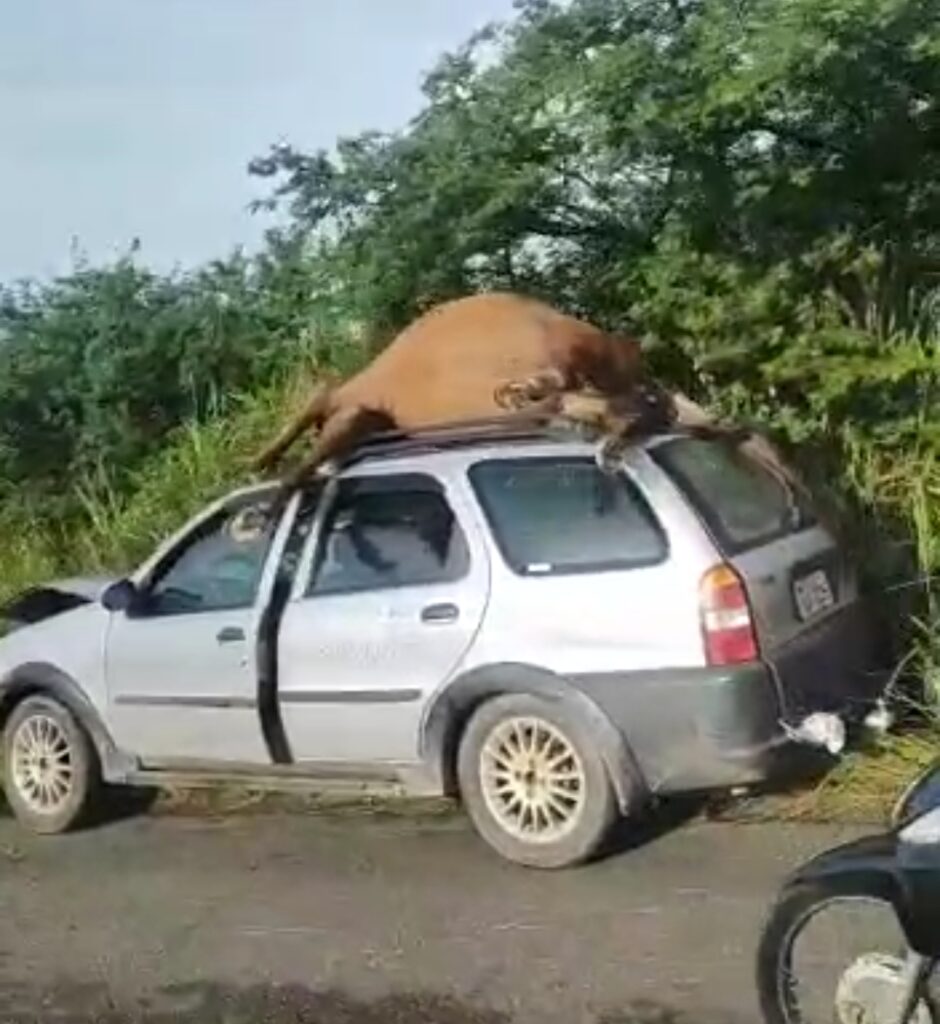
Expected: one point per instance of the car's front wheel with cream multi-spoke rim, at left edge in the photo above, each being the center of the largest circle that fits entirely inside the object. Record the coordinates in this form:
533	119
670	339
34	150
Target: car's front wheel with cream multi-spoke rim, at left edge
51	769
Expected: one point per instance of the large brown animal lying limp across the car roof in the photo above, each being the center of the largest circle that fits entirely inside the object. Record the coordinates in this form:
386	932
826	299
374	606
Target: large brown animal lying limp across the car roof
469	360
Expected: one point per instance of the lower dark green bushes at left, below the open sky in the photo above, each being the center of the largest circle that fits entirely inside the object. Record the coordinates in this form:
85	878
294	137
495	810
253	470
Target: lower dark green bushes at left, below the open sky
98	367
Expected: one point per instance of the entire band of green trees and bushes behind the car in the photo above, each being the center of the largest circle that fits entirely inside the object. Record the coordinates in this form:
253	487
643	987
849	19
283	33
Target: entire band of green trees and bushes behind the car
752	186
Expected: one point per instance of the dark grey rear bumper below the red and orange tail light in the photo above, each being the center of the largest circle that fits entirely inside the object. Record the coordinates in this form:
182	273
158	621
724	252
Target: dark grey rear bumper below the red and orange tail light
700	730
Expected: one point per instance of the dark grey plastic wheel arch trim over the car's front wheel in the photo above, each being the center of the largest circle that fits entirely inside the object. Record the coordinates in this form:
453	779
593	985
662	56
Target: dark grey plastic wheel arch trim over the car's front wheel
42	679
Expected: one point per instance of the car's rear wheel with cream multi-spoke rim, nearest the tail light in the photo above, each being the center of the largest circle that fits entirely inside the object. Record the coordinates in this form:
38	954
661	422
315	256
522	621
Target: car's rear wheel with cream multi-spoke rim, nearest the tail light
534	784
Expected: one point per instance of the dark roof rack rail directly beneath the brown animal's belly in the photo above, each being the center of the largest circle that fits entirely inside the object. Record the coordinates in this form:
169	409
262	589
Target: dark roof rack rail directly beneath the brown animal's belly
466	434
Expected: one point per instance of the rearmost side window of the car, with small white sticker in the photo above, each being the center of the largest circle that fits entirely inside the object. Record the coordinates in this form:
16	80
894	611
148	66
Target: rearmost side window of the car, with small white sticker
565	516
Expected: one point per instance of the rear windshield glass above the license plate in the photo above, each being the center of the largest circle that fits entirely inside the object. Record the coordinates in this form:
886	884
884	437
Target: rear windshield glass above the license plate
744	504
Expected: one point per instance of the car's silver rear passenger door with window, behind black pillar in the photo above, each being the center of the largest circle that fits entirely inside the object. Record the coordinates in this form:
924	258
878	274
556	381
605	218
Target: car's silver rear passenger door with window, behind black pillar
391	598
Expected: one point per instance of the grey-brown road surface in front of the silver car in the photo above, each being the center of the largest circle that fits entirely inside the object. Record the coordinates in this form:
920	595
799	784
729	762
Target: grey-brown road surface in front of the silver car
367	922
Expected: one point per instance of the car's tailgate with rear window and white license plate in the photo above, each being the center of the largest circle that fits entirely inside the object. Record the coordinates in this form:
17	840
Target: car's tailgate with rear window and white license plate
803	591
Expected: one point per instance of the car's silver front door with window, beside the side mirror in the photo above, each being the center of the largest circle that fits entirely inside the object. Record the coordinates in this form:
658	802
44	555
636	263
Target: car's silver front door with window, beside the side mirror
180	662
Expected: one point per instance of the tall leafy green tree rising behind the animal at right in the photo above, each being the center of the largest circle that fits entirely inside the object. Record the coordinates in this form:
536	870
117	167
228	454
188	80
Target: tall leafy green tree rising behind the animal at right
714	173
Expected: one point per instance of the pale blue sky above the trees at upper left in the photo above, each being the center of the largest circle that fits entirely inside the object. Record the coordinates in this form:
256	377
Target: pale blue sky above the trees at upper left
138	118
